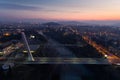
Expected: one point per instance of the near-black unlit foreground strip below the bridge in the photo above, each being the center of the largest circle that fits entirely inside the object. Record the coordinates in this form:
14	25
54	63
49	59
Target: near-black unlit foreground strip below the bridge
62	72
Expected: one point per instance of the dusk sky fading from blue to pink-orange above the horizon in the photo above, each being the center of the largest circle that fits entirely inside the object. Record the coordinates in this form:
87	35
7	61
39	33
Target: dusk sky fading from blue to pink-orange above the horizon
75	10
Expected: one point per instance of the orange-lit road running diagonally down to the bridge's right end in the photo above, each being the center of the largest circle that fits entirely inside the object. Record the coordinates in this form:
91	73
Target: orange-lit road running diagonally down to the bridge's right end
111	58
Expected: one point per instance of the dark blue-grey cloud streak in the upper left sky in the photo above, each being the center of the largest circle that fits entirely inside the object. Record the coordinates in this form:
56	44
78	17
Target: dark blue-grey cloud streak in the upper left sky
18	7
